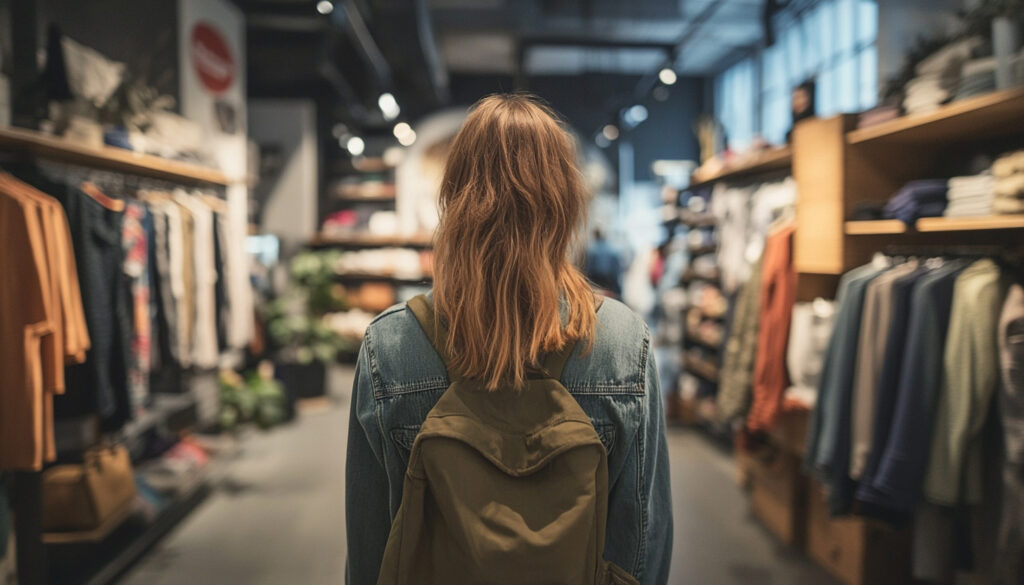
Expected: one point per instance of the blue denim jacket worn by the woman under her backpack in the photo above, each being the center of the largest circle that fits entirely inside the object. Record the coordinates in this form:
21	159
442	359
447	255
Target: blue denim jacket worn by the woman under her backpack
400	379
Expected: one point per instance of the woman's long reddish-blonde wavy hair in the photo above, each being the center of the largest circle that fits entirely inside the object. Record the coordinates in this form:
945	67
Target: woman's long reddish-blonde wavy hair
513	203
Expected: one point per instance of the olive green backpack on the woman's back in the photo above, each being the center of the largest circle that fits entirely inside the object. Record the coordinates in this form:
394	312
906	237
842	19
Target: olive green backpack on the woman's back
504	487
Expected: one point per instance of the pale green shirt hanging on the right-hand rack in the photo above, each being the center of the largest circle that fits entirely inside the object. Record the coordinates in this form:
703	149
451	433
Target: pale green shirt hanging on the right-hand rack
970	380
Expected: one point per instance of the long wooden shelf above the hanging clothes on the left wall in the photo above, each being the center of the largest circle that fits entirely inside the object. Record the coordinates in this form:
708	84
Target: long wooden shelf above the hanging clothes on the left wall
40	146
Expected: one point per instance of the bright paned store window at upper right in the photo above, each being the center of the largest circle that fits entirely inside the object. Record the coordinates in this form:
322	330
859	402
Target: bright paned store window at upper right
834	44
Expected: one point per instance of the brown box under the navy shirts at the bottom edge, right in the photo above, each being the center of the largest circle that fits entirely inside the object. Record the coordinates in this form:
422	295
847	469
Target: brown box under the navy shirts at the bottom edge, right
857	551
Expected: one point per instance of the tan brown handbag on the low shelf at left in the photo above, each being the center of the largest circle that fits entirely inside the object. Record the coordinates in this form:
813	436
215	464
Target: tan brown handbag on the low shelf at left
82	497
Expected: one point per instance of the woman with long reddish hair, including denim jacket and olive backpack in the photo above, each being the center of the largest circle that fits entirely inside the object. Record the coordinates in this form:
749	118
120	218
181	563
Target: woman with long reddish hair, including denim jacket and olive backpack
508	313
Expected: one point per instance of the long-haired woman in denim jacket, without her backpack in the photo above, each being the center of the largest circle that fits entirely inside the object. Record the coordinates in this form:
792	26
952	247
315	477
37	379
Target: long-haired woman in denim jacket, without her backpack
513	204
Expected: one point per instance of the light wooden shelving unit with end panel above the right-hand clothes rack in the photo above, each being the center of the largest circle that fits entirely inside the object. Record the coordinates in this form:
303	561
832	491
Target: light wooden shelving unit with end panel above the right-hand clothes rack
838	168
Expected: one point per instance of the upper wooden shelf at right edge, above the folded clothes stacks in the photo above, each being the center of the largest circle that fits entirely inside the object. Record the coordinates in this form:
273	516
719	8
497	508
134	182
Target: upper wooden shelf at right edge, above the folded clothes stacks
997	114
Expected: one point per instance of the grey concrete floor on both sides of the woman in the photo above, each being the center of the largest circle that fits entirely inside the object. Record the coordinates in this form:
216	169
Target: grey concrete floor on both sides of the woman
280	519
